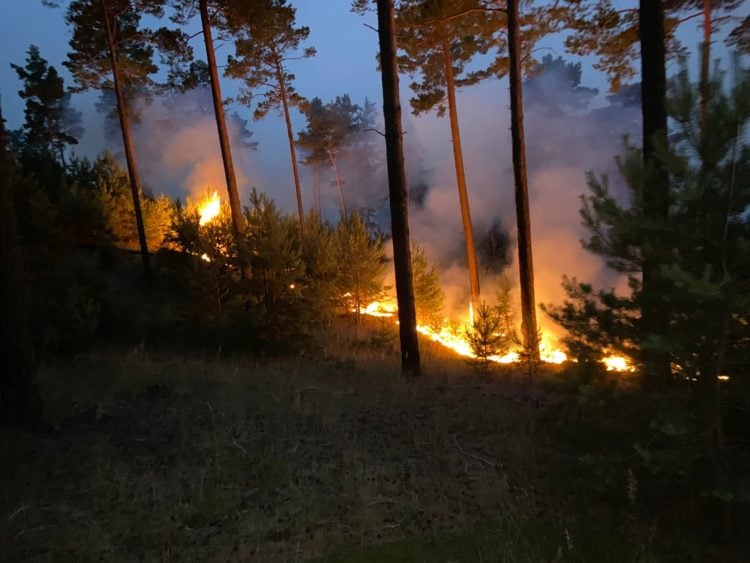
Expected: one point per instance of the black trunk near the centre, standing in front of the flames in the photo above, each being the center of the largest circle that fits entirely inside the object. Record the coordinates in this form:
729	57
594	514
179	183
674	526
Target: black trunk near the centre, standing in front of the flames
398	190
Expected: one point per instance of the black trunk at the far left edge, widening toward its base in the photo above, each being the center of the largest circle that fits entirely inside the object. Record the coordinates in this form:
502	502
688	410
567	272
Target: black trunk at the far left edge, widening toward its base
19	401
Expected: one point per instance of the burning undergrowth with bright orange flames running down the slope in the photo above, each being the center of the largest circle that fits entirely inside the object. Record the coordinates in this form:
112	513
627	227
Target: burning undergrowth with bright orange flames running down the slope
348	267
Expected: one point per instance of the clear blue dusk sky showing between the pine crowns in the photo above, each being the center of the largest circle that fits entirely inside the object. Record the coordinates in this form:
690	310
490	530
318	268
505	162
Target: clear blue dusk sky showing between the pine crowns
345	61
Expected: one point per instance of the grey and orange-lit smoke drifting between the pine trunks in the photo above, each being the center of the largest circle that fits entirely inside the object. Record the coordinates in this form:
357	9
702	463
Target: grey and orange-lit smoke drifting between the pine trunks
565	139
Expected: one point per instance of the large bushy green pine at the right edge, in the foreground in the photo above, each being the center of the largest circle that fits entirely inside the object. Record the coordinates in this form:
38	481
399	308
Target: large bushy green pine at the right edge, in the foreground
688	442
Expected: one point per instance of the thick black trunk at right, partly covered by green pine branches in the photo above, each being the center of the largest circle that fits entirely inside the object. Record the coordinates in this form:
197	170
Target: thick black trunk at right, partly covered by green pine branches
654	319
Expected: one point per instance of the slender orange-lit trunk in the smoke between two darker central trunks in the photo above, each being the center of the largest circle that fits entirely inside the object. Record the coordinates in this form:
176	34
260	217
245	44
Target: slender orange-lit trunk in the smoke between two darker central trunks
463	196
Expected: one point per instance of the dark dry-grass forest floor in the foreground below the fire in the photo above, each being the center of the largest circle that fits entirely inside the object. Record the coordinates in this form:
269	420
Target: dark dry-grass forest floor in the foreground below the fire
150	456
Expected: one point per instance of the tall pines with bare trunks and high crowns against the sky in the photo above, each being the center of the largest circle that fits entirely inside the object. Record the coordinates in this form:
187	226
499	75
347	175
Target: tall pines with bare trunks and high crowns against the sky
437	42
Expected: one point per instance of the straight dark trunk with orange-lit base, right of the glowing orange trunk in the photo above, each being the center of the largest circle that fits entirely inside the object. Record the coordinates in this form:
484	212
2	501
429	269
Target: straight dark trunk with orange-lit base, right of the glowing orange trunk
523	217
